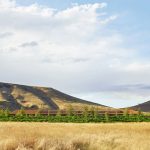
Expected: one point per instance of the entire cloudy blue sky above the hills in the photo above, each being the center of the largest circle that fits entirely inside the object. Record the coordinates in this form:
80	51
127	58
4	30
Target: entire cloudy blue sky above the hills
95	50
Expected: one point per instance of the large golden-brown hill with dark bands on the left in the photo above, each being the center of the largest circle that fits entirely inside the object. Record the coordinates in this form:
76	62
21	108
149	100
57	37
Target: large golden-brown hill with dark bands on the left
14	96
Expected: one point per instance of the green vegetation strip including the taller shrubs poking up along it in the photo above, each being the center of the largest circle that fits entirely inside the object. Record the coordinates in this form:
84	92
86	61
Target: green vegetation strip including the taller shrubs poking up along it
6	116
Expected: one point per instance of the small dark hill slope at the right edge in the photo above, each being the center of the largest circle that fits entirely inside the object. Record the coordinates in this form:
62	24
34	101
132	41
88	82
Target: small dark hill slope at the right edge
144	107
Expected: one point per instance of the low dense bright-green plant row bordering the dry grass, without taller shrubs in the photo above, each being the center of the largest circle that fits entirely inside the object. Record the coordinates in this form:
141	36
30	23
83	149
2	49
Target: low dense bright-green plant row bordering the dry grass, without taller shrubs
75	119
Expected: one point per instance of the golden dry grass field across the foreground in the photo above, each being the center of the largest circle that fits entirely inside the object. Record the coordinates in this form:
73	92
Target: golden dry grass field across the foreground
69	136
